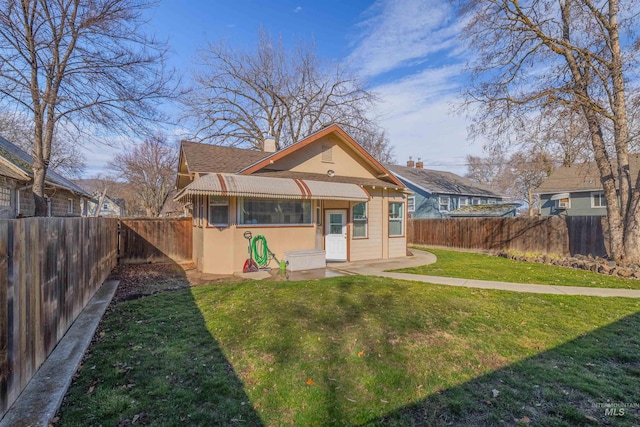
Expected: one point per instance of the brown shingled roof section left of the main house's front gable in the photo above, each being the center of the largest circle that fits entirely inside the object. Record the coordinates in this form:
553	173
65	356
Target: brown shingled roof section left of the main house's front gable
208	158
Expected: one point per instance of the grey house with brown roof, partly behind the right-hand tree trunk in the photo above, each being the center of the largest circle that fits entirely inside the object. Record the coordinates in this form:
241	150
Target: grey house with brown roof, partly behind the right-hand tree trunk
576	190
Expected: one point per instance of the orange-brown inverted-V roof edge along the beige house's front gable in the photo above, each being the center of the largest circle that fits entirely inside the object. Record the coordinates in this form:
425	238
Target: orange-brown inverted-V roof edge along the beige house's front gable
335	129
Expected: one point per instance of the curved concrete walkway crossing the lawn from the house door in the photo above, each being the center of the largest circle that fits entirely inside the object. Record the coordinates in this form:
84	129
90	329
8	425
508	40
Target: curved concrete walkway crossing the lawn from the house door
378	268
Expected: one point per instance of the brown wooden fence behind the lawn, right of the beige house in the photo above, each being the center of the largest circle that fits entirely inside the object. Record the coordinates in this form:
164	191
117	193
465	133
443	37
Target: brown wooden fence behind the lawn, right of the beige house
551	235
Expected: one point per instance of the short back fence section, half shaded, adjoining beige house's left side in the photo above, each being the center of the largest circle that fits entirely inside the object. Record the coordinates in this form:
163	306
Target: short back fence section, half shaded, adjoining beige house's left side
155	240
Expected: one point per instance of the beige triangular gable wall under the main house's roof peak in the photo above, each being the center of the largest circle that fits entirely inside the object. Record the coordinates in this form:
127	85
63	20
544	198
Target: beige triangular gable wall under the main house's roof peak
344	160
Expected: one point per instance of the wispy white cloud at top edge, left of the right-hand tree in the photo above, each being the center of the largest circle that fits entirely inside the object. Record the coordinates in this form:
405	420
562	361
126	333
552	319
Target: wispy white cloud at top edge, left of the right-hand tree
399	33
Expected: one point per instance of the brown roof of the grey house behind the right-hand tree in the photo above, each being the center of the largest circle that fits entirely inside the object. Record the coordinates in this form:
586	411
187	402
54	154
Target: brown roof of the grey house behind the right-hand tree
582	177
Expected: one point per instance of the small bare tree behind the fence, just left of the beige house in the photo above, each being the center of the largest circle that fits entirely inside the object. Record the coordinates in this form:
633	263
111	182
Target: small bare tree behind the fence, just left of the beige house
150	169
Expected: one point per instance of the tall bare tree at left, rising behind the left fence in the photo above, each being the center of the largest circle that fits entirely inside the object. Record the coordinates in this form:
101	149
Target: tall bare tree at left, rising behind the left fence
82	64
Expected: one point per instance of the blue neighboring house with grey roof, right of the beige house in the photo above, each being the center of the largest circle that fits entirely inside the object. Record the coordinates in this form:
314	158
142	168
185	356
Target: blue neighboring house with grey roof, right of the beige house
438	194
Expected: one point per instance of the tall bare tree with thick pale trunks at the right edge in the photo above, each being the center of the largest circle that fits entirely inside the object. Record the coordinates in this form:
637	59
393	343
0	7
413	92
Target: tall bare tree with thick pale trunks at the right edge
535	54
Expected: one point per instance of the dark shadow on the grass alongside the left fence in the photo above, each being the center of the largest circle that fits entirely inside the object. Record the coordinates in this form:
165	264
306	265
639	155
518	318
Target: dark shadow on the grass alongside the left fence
154	362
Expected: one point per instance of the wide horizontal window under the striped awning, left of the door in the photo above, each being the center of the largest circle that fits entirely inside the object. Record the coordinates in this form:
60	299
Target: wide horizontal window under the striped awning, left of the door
275	212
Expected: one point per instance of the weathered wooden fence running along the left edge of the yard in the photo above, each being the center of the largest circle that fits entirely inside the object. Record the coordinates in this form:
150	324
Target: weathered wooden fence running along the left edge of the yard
49	270
